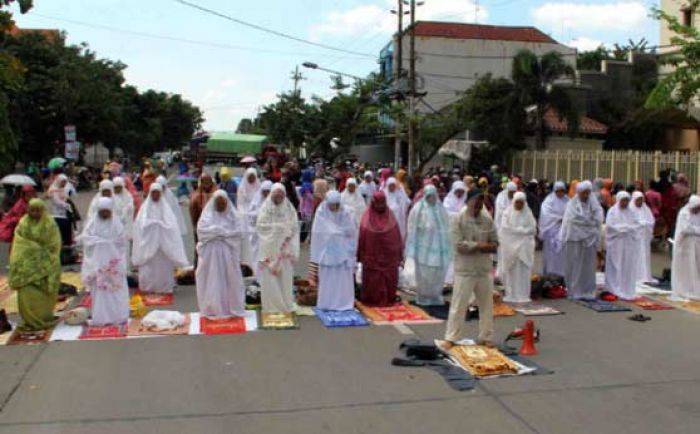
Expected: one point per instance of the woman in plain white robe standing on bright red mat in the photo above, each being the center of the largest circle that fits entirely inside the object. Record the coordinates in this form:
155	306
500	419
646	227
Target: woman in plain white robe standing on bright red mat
220	288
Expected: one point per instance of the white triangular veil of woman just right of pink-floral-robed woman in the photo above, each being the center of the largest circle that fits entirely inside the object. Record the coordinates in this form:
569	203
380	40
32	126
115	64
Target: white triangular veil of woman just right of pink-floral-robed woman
156	230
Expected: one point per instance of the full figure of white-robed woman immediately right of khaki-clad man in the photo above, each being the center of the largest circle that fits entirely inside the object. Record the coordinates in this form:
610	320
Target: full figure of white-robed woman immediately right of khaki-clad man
517	239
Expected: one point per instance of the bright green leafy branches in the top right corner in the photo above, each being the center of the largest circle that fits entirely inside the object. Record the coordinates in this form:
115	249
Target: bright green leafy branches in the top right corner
681	87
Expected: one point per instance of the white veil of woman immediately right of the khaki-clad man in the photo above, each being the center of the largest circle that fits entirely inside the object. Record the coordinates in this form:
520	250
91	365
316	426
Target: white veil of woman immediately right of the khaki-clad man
517	233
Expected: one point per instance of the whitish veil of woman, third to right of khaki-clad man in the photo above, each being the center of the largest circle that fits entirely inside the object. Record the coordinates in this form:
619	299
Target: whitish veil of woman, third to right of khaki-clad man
582	220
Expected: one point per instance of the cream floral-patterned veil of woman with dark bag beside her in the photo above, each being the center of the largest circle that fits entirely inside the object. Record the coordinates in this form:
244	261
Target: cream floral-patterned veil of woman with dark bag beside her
278	228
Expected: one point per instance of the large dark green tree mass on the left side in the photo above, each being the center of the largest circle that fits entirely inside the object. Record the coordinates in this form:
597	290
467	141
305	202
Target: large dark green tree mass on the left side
68	84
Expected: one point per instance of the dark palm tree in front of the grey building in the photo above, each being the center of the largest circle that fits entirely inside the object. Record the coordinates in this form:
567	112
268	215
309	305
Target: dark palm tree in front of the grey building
534	79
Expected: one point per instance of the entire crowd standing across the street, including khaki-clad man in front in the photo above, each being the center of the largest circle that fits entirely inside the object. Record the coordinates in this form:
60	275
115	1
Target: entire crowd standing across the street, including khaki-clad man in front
446	229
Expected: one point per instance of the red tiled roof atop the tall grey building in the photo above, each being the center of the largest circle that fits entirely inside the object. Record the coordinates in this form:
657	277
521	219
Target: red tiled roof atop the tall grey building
480	31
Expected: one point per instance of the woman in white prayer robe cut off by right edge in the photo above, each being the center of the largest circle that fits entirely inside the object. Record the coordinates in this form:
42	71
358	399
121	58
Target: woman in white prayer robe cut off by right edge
685	266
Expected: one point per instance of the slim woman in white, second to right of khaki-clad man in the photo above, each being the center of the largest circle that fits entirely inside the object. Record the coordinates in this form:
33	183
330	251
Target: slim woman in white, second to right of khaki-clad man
551	217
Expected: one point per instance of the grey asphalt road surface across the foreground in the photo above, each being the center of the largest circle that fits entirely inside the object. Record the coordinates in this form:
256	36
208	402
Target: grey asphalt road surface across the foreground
611	375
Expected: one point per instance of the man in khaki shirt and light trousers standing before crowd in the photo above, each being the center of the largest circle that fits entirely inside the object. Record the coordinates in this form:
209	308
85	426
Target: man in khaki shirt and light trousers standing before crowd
475	240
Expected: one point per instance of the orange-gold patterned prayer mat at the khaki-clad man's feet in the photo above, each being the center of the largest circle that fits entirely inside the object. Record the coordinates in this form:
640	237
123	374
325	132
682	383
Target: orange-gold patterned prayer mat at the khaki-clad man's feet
482	361
